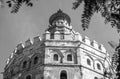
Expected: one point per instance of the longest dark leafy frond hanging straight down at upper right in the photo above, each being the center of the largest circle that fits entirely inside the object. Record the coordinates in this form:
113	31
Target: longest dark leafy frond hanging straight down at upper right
89	10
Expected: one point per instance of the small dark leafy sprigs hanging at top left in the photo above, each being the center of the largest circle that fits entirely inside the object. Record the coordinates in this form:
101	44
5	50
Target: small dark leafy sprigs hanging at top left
16	4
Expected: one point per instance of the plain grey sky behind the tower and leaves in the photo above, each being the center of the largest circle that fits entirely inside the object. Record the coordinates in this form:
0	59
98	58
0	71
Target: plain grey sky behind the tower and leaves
30	22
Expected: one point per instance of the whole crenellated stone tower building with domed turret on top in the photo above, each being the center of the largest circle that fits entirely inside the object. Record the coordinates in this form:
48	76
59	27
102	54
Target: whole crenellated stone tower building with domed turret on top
61	53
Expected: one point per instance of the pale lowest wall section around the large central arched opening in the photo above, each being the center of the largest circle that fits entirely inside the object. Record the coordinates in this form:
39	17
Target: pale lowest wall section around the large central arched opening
54	72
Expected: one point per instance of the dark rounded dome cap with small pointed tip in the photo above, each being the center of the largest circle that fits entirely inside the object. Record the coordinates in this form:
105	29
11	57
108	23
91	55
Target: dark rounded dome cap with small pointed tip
59	15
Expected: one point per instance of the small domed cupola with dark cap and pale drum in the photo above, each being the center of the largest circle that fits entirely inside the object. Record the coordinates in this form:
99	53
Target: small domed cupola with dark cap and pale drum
59	21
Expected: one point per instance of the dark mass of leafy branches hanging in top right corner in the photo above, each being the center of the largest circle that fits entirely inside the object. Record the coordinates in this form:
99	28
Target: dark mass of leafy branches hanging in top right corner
109	9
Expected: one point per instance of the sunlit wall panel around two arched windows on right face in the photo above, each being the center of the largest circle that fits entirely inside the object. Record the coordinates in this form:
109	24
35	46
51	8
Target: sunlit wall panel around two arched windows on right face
94	60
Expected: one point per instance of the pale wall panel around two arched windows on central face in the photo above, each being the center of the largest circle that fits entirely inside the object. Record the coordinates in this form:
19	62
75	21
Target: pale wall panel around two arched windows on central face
49	54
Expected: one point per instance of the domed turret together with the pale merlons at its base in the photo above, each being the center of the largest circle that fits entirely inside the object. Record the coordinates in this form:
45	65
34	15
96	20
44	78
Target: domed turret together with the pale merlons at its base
59	27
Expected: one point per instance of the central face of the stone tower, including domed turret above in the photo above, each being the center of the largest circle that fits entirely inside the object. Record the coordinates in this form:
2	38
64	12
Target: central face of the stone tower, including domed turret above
61	48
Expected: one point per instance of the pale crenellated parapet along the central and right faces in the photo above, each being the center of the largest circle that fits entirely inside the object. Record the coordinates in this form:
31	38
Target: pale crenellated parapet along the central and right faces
76	36
